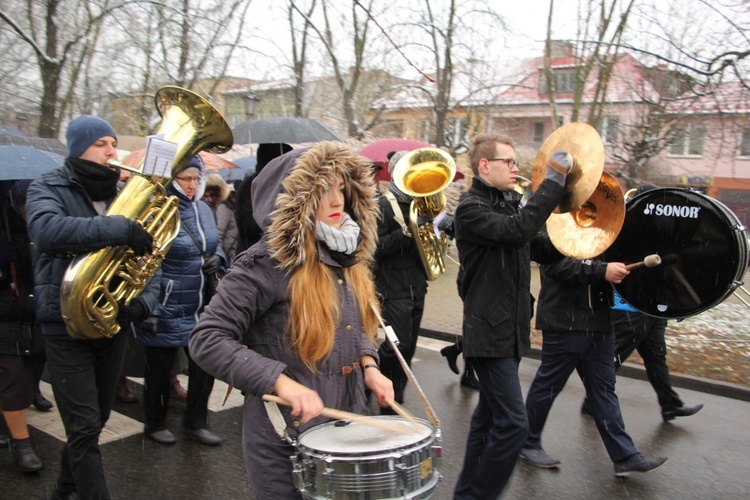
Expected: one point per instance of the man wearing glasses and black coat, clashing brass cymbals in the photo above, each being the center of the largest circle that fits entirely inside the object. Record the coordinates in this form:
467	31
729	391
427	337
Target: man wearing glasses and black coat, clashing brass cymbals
496	240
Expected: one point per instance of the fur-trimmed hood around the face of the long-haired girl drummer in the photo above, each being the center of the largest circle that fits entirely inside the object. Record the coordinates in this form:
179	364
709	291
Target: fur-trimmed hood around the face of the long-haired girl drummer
286	193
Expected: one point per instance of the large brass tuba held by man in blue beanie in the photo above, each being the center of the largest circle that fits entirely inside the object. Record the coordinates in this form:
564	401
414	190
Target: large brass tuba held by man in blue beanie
95	282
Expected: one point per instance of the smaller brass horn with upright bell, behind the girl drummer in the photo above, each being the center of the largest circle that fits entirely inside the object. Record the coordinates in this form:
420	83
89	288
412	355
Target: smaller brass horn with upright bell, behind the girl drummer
423	174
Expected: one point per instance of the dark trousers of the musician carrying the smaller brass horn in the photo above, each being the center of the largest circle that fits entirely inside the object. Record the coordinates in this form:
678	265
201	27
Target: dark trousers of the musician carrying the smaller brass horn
404	316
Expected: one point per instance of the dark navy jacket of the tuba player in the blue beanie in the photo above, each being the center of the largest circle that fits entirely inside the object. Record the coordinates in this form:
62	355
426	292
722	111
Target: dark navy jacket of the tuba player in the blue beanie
63	223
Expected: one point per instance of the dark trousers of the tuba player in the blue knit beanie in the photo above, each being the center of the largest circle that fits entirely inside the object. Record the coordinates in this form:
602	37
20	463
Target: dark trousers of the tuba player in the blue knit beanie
84	375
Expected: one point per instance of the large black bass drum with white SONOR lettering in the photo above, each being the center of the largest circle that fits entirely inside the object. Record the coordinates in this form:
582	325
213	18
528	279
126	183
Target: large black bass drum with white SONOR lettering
702	244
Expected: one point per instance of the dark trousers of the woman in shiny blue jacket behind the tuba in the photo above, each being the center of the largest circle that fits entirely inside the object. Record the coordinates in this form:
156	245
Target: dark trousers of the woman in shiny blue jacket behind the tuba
157	374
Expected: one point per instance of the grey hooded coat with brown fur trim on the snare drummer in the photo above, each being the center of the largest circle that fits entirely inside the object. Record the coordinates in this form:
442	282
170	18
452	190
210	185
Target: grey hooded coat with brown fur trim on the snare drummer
242	337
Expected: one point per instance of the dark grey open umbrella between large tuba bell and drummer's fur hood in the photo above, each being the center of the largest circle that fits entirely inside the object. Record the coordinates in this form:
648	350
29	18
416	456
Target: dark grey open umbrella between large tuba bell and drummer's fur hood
282	129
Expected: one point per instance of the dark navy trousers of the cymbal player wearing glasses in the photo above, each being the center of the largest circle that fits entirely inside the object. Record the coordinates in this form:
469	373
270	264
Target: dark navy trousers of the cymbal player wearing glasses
497	433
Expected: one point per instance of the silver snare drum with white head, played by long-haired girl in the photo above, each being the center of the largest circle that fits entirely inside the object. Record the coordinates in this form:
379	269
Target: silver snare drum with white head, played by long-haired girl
357	460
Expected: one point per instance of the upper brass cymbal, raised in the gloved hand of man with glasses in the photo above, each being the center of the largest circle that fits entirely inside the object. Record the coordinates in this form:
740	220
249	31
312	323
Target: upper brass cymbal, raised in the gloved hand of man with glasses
585	145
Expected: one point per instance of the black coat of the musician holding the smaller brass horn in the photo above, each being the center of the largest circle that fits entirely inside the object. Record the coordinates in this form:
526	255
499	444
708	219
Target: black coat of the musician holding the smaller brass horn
398	269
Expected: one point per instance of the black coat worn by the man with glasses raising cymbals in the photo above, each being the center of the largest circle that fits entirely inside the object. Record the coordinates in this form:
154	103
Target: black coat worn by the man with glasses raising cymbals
496	241
